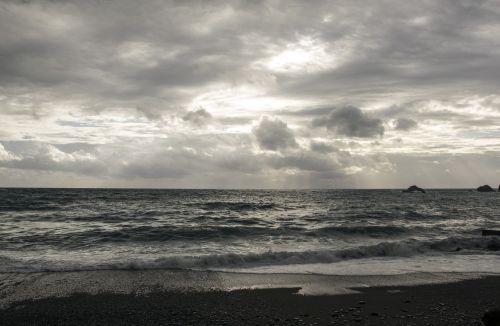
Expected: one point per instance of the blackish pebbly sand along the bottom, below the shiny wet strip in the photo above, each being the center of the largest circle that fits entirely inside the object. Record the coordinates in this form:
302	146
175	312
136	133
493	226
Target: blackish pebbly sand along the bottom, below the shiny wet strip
460	303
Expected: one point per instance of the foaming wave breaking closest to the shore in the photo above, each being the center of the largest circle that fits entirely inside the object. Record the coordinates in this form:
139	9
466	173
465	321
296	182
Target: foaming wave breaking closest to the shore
407	248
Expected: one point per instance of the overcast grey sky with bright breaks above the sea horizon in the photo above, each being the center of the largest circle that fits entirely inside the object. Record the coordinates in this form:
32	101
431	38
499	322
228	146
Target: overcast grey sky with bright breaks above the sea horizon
250	94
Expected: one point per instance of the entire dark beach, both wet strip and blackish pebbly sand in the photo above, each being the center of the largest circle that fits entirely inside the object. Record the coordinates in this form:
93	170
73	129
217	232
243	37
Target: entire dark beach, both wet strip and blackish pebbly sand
457	302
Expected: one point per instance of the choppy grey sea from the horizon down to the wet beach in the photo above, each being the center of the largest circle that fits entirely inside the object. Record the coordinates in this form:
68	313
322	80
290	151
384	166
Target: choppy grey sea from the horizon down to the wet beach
330	231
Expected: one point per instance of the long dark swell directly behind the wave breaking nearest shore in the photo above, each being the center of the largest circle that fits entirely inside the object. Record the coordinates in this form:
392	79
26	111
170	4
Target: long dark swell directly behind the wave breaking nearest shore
235	228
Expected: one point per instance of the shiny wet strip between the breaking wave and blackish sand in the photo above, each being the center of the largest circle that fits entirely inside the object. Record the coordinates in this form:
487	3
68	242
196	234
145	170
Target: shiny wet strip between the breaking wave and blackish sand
15	287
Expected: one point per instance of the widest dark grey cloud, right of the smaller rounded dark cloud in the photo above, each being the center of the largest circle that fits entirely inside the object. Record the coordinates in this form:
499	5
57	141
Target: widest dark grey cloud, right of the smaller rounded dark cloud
352	122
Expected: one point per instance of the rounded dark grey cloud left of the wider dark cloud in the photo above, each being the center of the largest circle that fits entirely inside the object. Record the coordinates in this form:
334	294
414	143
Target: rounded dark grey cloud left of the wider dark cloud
274	134
